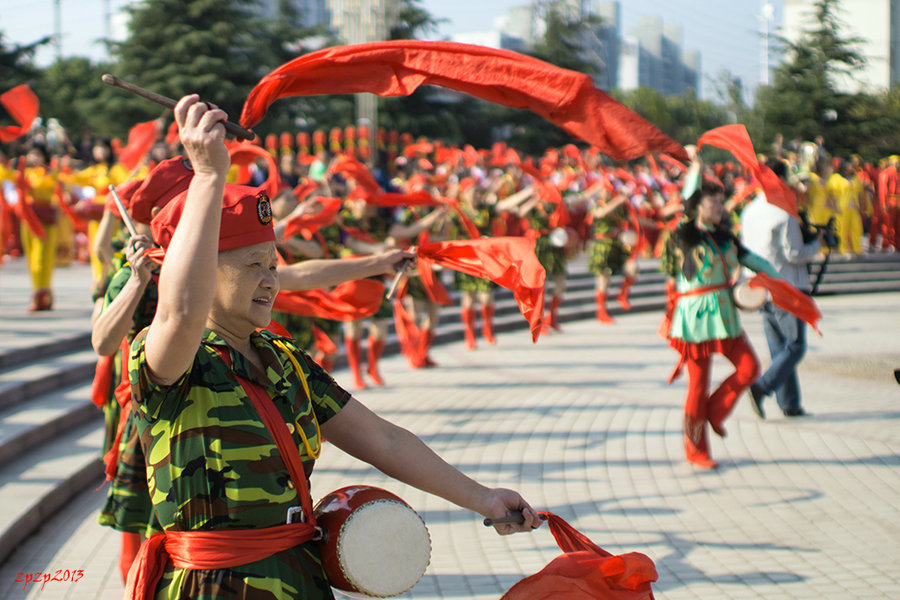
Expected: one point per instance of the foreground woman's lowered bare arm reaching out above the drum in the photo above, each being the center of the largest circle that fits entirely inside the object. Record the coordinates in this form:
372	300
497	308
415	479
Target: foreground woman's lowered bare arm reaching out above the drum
399	454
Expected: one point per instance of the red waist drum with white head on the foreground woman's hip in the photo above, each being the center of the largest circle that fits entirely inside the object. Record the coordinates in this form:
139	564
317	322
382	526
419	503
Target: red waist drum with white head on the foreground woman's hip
374	544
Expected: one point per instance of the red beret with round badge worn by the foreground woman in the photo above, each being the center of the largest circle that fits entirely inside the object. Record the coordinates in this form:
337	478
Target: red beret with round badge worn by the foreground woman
246	218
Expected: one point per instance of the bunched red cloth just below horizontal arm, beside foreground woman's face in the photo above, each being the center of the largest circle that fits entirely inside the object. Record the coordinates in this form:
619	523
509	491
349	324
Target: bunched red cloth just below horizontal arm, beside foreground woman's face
350	301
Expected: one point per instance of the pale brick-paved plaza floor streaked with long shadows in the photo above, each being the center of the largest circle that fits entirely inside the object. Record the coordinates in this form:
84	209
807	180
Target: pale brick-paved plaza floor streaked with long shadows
584	425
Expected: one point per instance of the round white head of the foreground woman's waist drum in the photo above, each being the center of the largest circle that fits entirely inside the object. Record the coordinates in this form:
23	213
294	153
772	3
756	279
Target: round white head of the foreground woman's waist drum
384	548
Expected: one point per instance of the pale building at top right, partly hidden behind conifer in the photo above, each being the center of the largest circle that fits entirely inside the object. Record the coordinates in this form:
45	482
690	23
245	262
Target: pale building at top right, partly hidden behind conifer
875	21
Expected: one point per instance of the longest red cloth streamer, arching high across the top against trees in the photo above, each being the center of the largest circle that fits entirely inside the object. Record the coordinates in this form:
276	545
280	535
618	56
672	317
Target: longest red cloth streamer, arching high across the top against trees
397	68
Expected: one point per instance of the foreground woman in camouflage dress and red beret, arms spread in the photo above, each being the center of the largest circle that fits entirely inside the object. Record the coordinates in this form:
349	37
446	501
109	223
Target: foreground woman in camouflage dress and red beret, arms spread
198	373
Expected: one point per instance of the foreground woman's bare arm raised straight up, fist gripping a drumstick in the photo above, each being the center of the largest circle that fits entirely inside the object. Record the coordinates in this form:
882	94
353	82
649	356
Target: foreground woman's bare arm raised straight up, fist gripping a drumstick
187	280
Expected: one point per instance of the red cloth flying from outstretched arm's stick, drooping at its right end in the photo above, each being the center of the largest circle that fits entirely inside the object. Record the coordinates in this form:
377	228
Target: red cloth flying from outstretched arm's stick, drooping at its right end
507	261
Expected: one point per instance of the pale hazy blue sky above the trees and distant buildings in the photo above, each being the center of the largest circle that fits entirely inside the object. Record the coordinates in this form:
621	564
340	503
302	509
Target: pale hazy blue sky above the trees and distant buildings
726	33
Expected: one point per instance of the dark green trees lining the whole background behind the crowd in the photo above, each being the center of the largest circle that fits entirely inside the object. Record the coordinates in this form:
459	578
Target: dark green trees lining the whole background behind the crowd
221	48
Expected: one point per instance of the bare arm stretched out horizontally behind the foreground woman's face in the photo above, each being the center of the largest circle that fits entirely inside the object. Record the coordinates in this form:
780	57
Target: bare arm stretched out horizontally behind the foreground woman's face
314	274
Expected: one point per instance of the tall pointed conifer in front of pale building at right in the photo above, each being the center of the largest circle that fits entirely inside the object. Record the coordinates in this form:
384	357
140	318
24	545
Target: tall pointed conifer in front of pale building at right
804	100
